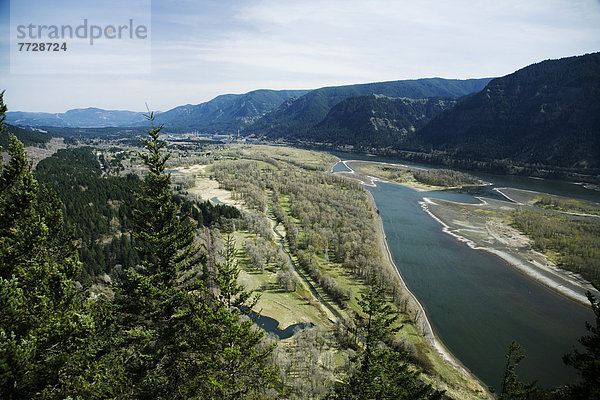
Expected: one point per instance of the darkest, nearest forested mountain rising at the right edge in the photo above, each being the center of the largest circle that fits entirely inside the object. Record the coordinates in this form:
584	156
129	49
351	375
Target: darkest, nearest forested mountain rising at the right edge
547	113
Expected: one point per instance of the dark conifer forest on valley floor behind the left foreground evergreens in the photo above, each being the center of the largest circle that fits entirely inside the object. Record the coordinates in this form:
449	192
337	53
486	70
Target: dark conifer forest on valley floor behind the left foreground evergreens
97	207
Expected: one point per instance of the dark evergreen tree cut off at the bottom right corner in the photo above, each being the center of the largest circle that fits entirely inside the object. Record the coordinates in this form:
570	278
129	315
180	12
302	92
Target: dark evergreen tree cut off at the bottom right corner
588	362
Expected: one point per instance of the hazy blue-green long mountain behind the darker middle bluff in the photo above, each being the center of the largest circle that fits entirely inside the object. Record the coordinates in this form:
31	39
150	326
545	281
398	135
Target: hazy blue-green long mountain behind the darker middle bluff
294	117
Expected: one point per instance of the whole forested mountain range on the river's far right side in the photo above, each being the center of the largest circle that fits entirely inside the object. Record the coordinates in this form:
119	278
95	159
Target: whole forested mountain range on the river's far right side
543	120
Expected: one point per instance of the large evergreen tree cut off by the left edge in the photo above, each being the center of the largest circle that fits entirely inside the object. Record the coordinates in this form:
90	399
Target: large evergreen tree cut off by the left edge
43	323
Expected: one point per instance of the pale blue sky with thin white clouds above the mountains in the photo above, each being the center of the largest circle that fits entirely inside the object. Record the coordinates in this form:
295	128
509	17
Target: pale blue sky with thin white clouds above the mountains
196	50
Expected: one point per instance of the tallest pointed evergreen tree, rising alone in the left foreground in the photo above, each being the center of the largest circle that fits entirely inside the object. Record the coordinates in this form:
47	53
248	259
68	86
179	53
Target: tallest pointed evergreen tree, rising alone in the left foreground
154	303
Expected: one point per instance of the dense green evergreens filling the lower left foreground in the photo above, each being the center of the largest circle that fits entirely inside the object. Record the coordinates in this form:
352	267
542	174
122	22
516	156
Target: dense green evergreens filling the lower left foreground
163	334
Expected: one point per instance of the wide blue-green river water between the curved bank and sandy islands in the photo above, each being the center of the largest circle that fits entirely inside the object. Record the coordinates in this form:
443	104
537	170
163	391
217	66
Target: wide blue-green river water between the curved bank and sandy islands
477	303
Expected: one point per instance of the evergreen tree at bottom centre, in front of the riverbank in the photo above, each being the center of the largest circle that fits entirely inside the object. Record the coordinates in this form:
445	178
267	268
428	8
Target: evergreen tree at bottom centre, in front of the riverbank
382	372
